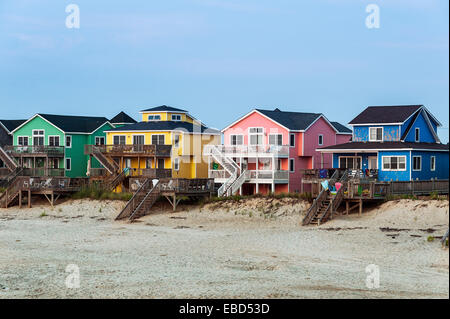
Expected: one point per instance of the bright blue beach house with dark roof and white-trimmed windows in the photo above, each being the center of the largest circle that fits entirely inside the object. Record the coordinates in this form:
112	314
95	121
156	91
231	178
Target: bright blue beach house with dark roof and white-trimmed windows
398	142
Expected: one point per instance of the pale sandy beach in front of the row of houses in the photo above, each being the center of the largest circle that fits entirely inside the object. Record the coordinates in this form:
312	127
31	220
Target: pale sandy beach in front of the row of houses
235	250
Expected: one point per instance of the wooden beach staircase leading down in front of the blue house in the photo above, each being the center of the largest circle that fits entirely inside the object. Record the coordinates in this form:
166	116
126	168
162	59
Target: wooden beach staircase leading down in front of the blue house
325	205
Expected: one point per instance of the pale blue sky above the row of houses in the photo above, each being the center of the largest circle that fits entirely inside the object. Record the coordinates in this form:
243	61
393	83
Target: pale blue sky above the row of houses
219	59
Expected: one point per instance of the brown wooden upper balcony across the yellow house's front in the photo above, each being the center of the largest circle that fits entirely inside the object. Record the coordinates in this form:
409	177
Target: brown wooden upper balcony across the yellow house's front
131	150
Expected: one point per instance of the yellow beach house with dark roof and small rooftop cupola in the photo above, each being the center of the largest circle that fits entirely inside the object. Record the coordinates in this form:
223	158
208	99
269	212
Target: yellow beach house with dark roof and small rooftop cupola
168	142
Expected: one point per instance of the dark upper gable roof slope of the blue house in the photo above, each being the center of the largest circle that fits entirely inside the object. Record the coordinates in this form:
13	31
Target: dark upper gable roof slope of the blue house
385	114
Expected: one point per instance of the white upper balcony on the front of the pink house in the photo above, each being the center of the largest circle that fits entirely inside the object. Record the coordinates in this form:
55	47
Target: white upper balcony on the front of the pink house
254	150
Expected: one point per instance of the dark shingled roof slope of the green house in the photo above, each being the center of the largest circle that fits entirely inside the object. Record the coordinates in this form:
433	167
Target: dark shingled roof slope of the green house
75	124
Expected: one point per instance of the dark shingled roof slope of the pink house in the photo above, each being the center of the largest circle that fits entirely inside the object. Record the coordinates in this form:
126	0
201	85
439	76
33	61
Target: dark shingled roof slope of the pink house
296	121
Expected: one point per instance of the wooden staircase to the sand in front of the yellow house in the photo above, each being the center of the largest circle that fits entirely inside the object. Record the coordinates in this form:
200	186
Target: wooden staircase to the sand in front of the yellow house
141	202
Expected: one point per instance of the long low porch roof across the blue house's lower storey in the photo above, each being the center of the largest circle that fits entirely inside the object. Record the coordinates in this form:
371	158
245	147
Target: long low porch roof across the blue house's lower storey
387	145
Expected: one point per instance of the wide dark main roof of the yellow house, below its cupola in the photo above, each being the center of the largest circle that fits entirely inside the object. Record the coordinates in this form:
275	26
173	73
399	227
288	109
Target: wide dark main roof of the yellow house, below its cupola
165	126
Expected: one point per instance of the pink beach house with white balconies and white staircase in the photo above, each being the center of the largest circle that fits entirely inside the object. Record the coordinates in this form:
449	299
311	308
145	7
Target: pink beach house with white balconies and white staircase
265	151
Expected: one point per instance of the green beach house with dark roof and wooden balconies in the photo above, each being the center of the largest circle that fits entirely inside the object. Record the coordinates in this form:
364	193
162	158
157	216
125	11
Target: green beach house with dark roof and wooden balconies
53	145
